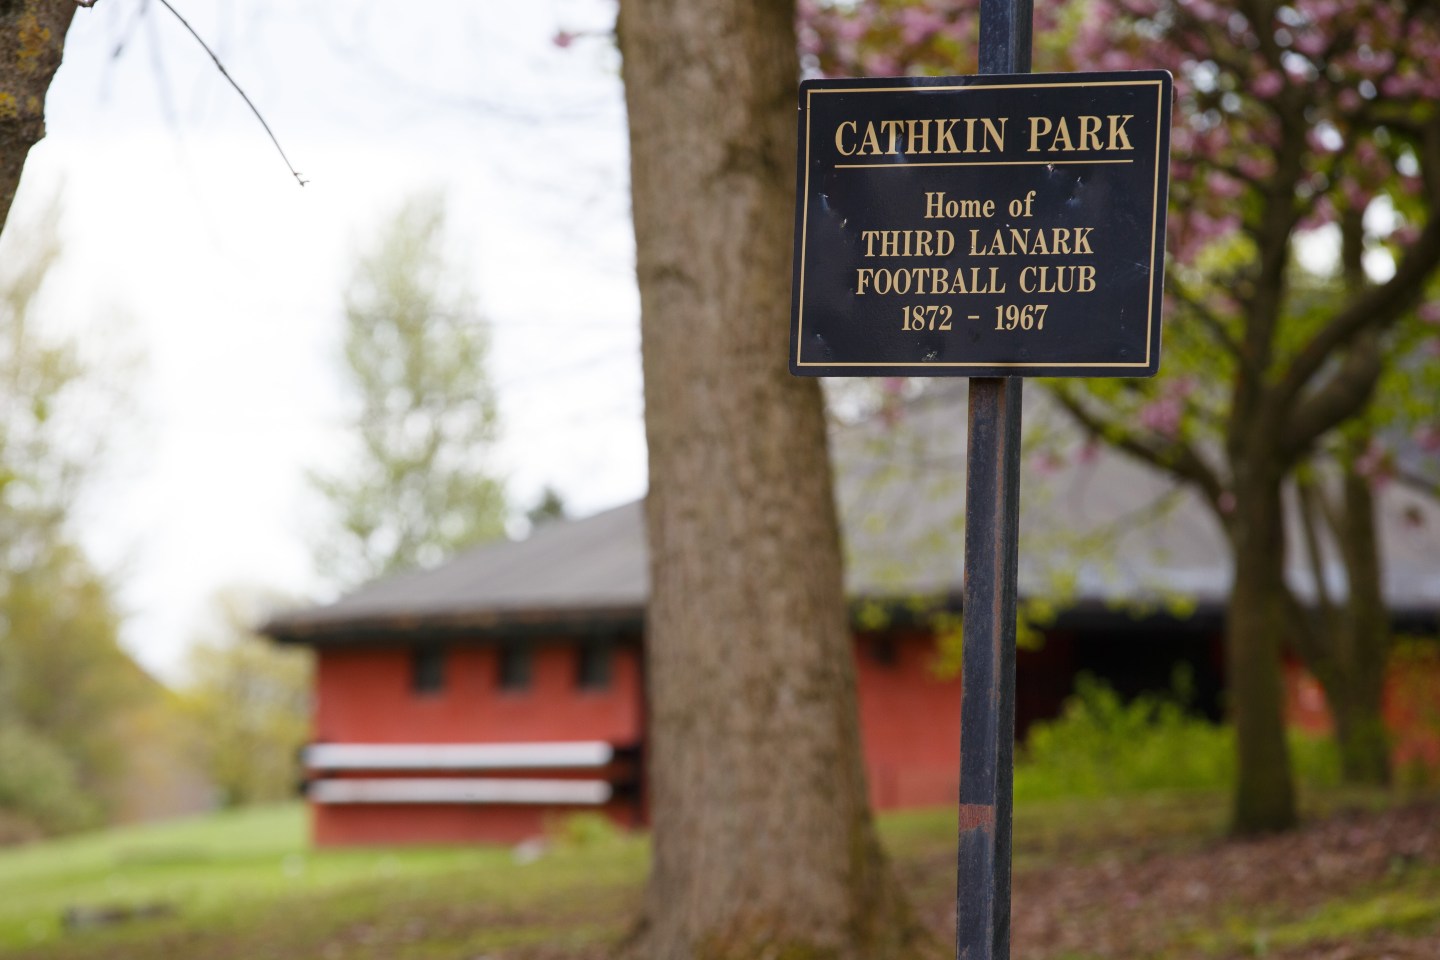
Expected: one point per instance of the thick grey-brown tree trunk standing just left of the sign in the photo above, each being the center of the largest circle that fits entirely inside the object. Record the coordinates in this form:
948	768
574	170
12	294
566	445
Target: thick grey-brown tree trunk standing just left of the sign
764	844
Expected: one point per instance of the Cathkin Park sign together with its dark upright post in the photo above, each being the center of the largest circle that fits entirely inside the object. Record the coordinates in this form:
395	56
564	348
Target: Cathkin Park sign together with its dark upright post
994	227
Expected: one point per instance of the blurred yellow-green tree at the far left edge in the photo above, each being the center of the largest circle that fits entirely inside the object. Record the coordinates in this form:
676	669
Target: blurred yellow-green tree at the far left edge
64	679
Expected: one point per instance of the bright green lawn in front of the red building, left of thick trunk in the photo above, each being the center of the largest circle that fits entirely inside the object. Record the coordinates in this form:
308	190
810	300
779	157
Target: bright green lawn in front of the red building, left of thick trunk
253	870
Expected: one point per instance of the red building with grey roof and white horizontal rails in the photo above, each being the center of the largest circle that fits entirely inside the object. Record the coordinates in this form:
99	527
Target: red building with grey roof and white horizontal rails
483	699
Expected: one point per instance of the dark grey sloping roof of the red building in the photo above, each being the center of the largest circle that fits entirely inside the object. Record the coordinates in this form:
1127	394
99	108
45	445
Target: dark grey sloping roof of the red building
1097	530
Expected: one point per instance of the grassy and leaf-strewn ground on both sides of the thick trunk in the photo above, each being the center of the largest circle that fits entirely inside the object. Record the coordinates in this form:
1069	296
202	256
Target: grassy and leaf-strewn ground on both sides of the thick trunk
1122	873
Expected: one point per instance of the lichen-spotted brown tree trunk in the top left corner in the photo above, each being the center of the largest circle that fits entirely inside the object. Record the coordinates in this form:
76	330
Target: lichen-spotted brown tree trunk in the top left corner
32	37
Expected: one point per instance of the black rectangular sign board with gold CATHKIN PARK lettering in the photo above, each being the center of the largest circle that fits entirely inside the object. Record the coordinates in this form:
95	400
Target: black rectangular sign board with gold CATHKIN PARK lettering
981	227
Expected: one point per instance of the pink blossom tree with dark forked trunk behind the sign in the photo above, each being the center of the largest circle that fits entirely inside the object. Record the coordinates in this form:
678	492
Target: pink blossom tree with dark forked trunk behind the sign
1304	250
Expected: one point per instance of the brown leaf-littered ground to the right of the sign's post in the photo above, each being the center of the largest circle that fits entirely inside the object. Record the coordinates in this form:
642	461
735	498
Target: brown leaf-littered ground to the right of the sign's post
1354	886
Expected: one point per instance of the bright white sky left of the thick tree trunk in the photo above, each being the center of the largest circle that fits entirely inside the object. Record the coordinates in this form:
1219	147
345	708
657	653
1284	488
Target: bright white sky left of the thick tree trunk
188	241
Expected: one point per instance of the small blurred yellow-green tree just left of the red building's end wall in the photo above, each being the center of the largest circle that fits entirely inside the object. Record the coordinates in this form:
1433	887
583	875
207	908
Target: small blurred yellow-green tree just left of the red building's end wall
248	703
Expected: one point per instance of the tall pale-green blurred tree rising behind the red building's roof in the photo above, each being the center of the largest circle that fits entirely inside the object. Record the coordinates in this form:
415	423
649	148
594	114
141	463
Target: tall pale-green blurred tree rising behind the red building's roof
423	483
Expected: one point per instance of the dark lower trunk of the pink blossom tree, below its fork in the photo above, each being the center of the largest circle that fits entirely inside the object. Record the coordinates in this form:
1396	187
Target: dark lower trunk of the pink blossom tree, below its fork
1256	627
